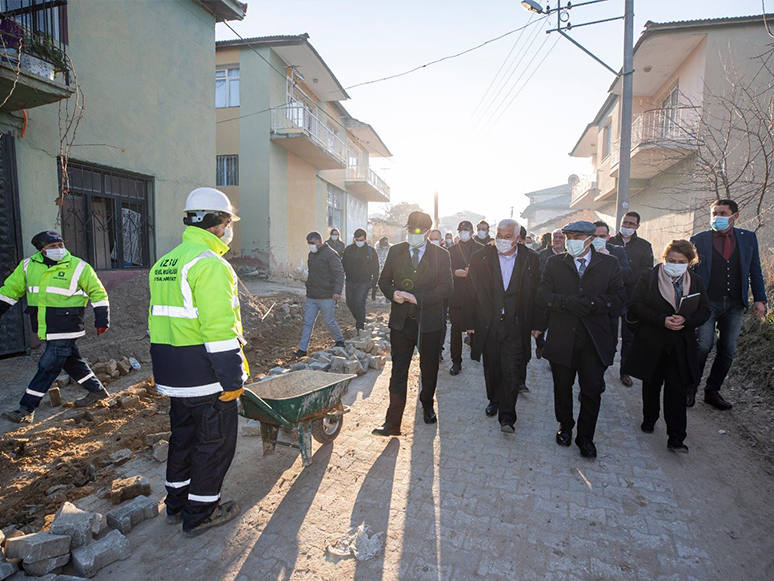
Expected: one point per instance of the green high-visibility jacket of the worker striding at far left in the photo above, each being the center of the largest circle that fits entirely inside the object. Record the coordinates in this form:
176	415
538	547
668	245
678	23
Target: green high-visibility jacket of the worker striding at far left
56	295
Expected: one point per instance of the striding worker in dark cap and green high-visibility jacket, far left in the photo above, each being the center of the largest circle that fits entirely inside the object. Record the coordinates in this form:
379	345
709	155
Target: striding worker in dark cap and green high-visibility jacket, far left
58	287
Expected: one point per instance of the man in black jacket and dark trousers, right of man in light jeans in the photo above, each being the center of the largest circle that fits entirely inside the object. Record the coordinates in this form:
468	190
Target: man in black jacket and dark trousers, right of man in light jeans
361	267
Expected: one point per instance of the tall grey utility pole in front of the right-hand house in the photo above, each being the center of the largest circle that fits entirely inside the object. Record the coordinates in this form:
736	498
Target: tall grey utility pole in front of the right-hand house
624	166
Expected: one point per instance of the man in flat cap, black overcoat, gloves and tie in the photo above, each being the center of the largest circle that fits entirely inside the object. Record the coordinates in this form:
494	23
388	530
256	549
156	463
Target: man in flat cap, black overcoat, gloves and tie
580	289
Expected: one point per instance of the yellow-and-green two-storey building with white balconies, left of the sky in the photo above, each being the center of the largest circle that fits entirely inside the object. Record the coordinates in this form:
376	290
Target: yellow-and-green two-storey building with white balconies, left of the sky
289	154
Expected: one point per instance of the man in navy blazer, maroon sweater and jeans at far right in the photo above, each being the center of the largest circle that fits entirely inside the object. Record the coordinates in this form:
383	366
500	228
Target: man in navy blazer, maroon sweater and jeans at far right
729	264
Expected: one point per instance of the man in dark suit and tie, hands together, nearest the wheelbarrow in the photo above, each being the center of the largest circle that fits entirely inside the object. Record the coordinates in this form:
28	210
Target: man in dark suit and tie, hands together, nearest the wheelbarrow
416	278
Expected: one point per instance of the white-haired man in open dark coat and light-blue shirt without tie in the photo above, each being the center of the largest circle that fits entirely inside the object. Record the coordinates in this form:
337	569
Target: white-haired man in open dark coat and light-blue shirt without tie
499	307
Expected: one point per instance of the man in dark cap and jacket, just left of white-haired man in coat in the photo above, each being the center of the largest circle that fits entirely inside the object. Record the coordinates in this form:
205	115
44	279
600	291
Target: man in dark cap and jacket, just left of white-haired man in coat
460	259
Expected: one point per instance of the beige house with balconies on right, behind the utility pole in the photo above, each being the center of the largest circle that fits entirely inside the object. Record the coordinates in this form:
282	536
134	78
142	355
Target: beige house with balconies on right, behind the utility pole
686	75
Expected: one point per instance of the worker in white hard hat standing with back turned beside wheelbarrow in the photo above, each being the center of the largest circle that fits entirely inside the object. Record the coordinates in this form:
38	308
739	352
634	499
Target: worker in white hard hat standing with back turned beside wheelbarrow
196	347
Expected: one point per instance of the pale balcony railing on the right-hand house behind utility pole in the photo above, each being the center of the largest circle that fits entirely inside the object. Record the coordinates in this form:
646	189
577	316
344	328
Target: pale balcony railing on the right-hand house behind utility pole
672	127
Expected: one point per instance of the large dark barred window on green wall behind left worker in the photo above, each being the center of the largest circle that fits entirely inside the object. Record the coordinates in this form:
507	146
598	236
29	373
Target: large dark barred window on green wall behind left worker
106	217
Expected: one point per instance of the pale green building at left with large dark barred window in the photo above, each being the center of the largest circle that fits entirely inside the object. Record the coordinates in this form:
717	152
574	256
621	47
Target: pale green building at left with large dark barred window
96	132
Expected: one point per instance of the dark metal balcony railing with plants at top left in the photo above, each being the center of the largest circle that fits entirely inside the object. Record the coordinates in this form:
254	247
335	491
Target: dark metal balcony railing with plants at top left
33	32
